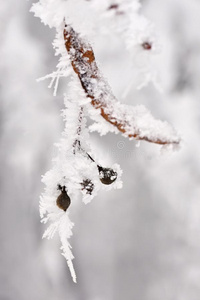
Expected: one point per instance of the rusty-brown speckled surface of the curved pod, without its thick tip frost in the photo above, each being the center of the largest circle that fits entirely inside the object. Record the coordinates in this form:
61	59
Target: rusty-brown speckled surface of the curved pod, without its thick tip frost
84	65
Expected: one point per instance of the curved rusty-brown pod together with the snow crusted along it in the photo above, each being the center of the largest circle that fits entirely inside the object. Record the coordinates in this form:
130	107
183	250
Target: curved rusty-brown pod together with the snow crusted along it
133	122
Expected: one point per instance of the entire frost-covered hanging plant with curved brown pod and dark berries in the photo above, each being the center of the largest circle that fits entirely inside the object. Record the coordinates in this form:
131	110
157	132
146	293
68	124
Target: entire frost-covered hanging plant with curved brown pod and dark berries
89	94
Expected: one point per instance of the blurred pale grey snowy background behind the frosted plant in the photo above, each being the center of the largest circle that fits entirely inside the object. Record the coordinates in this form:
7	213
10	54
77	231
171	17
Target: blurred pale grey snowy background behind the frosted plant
140	242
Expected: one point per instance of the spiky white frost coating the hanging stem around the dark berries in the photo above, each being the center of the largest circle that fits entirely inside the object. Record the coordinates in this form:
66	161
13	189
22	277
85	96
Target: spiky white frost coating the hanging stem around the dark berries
72	168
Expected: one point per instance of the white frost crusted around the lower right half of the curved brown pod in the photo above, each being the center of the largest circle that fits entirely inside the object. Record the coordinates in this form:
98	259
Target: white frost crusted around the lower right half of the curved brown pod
138	120
